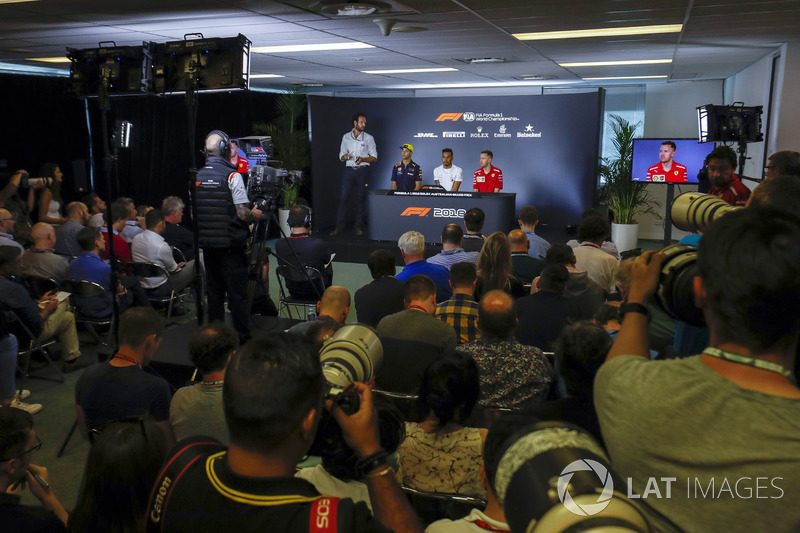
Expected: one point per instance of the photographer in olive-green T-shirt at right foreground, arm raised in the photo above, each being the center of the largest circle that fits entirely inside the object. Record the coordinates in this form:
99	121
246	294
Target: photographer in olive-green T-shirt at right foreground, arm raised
710	441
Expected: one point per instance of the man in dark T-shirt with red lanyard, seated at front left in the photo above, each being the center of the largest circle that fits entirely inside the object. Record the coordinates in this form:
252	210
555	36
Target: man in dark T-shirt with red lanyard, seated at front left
120	387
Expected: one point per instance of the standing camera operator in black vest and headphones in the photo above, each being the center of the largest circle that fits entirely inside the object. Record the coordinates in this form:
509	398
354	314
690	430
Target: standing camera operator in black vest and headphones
223	220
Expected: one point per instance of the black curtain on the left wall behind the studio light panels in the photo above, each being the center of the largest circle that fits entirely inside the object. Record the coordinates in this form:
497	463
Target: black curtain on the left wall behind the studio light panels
41	122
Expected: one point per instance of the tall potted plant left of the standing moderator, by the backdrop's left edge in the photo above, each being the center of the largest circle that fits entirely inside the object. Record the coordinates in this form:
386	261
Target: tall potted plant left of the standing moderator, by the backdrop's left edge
289	132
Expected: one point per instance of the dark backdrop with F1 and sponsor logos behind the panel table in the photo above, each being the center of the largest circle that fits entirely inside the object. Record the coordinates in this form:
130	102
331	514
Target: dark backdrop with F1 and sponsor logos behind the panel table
547	146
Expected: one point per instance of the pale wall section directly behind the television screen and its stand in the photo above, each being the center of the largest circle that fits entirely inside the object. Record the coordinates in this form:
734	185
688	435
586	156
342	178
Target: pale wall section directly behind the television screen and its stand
671	111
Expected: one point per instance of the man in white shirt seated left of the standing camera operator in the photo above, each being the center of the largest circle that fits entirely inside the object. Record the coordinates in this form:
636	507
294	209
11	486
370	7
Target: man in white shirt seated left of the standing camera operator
150	247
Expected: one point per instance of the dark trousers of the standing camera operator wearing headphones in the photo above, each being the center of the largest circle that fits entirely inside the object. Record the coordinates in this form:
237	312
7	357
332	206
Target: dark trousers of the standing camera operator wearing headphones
226	272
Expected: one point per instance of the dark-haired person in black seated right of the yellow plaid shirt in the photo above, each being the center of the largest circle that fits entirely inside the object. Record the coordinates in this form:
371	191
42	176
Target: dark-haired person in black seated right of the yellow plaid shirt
542	316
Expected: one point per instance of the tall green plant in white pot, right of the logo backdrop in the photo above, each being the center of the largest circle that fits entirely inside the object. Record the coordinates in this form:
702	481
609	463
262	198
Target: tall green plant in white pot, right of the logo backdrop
624	197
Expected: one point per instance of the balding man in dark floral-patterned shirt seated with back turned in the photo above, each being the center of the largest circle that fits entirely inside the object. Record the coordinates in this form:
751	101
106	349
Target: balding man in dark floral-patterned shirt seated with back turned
512	375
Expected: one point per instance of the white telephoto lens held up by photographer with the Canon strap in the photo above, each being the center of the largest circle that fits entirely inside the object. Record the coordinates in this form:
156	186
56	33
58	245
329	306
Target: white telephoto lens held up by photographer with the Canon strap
353	353
